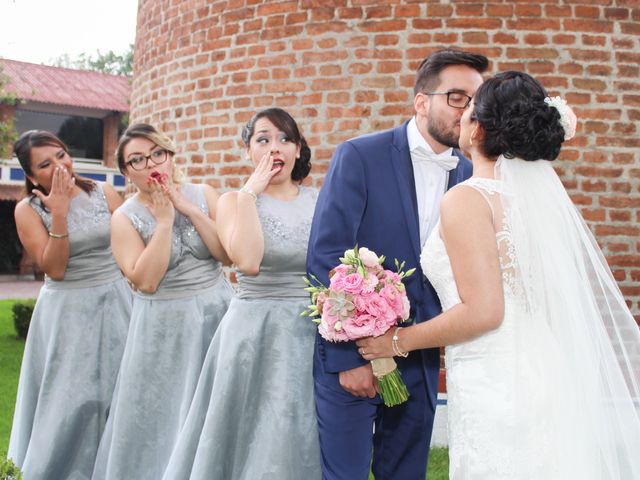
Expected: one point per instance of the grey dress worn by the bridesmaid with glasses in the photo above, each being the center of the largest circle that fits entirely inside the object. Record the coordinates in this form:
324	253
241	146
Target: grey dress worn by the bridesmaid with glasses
169	334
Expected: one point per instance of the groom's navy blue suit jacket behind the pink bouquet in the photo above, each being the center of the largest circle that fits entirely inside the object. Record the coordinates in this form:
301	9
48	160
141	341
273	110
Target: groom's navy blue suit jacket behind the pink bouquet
369	199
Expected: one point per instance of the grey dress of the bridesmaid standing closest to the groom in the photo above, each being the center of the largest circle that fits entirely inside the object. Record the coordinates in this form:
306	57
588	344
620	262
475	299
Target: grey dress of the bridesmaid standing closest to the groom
253	414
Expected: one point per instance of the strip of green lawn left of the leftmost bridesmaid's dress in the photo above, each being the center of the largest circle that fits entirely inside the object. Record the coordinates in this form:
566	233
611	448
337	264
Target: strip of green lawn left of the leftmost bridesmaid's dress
11	348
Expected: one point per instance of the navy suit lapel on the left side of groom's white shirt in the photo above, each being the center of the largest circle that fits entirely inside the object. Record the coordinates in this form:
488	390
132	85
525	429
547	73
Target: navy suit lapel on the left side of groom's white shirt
403	170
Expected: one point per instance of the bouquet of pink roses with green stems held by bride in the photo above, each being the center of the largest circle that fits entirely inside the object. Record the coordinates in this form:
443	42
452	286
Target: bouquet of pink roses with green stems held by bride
363	300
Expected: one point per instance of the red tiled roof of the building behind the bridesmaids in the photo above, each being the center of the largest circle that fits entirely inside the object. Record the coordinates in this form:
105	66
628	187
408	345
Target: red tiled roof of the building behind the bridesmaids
64	86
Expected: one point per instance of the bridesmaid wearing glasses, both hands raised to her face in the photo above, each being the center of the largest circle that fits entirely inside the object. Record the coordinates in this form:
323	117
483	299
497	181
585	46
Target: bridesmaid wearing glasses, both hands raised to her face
165	241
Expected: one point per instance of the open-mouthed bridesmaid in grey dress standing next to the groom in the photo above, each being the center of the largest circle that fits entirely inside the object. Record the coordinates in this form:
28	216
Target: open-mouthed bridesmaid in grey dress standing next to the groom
253	413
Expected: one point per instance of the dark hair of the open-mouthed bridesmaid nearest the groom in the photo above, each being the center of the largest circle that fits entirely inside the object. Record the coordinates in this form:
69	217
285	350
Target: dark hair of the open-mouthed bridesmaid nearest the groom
285	122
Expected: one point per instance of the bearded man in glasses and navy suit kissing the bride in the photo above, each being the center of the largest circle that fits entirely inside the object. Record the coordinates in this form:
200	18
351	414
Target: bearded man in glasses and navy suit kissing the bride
383	192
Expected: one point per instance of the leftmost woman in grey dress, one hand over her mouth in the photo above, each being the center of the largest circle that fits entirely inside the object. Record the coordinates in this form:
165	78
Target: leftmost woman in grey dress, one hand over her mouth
79	324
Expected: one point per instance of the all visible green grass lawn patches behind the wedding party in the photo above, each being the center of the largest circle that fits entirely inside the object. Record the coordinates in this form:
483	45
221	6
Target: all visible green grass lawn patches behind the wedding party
11	348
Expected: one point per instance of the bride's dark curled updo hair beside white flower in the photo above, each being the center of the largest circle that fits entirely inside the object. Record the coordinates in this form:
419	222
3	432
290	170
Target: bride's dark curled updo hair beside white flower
517	122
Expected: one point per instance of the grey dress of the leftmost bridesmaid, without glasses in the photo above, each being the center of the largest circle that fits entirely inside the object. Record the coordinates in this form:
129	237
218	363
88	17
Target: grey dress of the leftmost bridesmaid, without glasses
73	351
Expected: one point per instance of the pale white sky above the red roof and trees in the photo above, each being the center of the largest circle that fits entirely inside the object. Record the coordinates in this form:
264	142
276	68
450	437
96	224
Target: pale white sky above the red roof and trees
38	31
